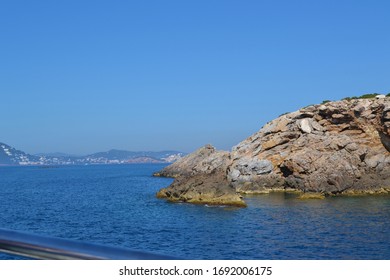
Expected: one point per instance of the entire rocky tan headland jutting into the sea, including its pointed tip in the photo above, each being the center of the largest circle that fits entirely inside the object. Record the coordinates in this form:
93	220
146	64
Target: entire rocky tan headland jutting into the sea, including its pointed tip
335	148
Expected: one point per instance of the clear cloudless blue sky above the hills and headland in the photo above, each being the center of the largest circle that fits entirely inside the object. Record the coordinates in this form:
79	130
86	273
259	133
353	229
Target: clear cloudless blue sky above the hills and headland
86	76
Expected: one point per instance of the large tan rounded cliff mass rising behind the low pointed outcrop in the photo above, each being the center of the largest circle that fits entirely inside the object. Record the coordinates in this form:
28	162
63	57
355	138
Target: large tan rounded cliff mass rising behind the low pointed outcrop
327	148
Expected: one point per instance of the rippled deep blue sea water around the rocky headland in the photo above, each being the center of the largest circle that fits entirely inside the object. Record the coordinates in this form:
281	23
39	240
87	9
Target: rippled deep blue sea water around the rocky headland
116	205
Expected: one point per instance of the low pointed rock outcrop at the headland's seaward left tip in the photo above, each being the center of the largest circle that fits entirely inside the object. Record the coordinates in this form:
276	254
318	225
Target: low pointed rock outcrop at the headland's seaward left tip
201	179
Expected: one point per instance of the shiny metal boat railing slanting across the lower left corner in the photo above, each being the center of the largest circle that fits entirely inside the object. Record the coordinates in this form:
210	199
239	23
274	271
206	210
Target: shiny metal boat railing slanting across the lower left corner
49	248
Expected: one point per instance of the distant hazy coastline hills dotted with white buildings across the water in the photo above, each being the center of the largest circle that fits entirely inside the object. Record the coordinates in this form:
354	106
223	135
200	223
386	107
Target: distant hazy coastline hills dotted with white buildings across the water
11	156
